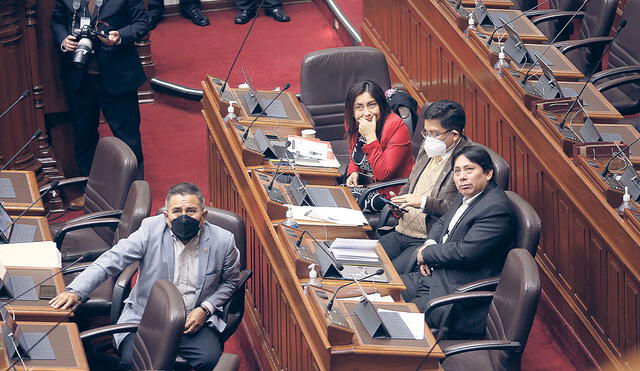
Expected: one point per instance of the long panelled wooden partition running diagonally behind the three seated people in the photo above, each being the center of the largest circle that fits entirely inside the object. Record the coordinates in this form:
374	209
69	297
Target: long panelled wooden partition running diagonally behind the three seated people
588	256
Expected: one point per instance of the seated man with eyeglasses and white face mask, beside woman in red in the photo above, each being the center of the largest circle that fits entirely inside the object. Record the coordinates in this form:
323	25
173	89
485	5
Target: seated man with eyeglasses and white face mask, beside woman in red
430	188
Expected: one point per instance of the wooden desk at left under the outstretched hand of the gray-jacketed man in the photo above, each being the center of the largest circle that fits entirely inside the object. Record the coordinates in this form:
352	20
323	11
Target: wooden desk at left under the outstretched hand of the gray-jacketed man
37	310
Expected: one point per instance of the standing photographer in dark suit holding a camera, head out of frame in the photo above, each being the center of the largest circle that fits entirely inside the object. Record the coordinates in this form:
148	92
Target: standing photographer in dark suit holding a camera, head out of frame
108	81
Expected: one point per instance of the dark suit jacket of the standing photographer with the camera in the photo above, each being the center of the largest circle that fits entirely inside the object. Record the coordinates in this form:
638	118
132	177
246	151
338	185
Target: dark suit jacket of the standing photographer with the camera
119	65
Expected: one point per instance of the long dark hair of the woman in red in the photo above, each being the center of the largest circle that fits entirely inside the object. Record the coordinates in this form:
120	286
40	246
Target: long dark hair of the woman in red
355	90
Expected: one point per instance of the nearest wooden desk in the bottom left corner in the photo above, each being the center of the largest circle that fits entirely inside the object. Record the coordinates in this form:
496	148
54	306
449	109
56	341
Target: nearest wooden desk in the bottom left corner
66	344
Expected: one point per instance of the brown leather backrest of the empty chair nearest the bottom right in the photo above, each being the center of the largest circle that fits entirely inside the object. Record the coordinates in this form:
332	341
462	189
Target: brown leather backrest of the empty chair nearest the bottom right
513	307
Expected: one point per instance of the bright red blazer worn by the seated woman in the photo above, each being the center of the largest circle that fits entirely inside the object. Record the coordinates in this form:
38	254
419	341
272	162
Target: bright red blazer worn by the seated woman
390	156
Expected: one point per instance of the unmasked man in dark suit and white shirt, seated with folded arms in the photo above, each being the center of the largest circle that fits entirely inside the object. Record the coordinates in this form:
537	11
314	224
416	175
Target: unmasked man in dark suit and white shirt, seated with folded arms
470	241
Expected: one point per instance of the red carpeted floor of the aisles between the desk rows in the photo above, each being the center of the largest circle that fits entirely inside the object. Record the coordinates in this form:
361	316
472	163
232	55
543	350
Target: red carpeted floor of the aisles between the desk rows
174	140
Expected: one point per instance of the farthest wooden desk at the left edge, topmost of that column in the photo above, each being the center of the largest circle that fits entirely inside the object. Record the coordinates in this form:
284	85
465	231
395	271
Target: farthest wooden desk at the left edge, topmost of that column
27	191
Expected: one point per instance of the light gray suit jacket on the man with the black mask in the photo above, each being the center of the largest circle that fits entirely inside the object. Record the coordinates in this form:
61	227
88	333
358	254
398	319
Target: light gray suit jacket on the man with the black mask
152	246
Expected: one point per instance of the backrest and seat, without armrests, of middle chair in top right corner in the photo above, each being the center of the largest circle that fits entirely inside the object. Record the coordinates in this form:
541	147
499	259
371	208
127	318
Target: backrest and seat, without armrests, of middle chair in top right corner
598	18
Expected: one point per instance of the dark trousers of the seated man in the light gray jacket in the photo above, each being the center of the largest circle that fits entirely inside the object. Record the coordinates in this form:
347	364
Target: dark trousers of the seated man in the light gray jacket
202	350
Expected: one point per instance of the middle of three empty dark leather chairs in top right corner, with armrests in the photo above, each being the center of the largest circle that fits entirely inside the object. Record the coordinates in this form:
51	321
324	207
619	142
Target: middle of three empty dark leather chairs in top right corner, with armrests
596	23
